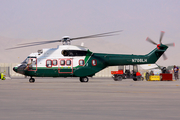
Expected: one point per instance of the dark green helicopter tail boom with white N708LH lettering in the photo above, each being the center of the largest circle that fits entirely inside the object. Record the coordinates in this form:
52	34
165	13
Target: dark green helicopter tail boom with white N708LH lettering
122	59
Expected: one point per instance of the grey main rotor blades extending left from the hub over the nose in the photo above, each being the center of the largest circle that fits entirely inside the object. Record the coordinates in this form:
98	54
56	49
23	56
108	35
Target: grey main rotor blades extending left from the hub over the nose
29	44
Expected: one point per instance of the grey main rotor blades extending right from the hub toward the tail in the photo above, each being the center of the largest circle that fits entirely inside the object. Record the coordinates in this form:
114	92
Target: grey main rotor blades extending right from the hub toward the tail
98	35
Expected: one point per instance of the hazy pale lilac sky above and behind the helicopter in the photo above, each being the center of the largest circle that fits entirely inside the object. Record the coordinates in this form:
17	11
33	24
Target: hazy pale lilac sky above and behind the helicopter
35	20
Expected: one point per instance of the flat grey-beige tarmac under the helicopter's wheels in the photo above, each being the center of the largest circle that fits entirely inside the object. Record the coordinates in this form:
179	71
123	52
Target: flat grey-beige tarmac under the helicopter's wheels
99	99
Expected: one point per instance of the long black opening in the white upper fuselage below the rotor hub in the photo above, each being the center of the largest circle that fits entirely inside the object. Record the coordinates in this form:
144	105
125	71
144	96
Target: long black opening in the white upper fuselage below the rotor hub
74	53
